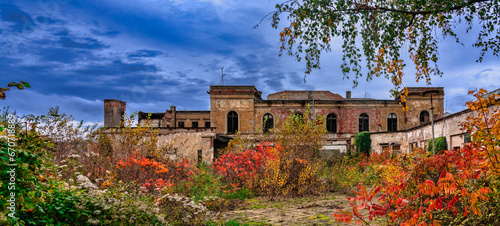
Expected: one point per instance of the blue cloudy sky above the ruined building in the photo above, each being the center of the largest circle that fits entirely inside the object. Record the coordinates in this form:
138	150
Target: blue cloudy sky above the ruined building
157	53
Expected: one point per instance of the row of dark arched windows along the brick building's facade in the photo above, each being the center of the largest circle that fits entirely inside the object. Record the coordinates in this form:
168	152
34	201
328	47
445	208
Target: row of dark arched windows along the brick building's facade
331	121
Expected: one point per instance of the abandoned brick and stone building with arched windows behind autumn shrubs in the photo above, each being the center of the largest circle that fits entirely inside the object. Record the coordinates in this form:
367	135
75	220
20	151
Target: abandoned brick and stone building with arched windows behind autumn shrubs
198	135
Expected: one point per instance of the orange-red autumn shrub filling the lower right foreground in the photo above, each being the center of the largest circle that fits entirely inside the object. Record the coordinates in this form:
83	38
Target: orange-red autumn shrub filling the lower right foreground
458	187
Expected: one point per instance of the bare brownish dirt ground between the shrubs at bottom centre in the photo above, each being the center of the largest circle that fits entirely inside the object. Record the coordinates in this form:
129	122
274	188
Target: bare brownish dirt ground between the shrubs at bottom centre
315	210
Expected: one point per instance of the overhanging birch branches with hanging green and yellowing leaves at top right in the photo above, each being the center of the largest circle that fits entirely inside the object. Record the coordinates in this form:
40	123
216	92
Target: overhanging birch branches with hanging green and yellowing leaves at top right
382	30
